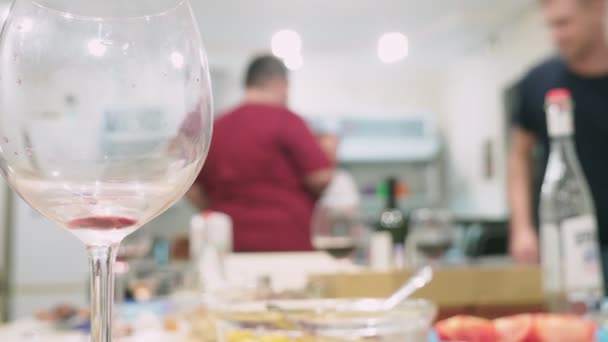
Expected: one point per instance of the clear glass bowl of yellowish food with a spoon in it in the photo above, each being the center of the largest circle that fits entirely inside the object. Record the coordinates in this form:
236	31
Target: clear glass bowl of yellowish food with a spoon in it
324	320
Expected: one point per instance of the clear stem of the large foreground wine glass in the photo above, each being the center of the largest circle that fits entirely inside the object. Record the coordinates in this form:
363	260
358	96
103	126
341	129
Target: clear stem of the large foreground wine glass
102	259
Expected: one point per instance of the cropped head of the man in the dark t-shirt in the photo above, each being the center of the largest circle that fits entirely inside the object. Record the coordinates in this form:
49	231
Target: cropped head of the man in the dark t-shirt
576	26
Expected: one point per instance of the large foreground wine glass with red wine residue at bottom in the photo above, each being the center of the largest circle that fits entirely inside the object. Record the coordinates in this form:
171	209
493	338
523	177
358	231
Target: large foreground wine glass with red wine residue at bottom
105	119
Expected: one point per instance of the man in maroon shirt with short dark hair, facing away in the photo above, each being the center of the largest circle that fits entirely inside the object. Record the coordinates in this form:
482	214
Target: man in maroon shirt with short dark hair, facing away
265	168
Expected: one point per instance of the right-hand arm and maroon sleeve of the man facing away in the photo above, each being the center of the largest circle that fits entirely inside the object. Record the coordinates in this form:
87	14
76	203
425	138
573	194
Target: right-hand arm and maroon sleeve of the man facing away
305	152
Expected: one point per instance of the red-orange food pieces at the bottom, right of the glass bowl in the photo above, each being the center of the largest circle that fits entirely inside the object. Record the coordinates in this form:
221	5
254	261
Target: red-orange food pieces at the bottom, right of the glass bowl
519	328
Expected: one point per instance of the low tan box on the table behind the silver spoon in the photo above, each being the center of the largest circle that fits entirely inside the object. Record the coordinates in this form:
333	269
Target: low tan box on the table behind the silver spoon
487	290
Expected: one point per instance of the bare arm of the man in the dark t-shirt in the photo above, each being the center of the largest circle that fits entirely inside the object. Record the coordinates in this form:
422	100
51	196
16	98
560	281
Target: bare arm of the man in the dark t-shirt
524	241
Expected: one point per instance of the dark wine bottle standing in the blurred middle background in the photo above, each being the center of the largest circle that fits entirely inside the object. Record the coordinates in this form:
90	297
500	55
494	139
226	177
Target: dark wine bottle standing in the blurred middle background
392	219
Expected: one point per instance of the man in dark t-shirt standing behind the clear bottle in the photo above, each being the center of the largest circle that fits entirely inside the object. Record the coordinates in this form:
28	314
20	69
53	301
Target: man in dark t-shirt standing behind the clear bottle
577	27
